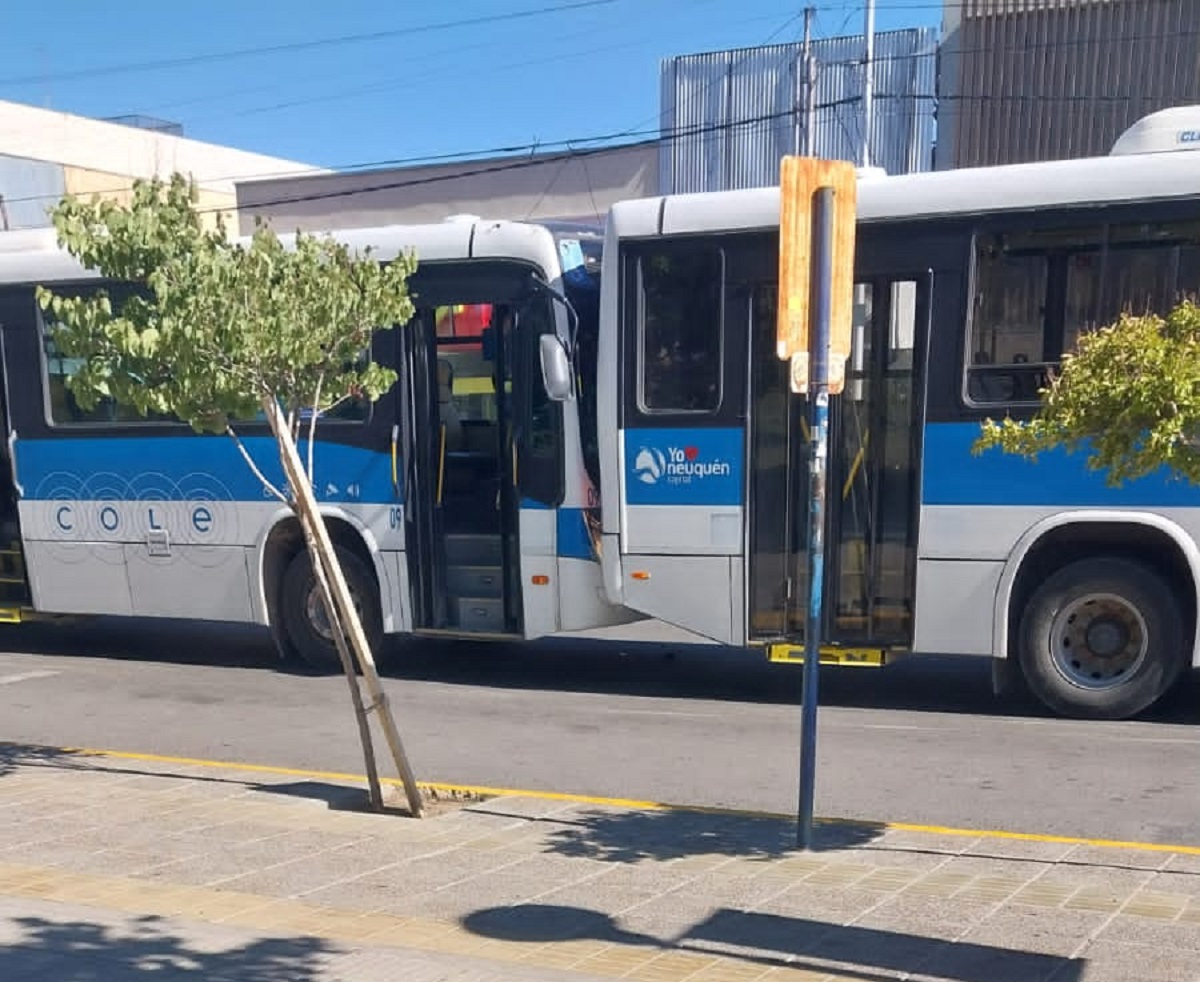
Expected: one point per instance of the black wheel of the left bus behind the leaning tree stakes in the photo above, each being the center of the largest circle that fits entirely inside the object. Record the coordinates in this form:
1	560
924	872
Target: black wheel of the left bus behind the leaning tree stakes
296	619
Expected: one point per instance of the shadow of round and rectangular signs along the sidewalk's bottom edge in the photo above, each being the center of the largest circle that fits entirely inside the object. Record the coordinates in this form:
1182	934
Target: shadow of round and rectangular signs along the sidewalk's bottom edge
773	941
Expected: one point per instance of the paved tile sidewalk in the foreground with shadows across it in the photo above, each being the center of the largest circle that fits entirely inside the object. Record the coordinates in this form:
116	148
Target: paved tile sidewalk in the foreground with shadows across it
113	867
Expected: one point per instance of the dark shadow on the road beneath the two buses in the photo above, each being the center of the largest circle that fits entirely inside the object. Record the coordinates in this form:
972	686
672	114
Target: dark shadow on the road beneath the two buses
923	684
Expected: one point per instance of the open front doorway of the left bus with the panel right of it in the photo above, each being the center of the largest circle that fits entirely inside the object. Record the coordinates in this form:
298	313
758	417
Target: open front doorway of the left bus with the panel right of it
483	470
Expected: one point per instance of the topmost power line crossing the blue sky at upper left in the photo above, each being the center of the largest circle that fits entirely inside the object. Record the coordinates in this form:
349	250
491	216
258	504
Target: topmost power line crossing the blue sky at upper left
297	46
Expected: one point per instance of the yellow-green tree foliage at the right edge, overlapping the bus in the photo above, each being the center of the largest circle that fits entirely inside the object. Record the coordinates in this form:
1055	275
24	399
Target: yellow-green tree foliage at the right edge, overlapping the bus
1130	398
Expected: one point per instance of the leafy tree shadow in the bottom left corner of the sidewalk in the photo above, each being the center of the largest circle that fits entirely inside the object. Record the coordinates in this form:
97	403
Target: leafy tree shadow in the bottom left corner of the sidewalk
82	950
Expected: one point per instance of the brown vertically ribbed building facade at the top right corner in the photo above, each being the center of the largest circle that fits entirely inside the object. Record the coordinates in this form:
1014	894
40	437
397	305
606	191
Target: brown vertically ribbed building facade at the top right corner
1051	80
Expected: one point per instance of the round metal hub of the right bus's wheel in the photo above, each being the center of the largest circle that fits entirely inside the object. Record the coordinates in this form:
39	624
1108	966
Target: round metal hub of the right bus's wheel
1099	642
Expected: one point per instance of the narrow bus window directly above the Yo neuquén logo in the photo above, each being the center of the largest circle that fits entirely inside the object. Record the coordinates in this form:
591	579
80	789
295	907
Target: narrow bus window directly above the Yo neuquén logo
680	331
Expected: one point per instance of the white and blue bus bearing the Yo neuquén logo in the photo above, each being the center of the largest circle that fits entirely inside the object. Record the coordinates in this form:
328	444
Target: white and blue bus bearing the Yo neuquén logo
970	288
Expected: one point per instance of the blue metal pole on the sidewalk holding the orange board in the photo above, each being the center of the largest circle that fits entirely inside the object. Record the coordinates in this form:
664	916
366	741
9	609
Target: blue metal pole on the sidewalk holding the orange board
819	394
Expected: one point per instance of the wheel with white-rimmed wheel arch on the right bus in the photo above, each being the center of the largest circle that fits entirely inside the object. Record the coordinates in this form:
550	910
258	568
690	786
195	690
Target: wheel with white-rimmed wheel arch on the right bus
1094	582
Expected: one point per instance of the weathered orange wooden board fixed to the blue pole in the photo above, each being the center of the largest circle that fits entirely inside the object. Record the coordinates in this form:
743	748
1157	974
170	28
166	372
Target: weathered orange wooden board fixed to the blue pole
800	181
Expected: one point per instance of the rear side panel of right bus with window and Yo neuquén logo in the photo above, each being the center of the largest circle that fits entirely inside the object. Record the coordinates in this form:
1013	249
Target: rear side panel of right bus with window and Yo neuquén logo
683	349
